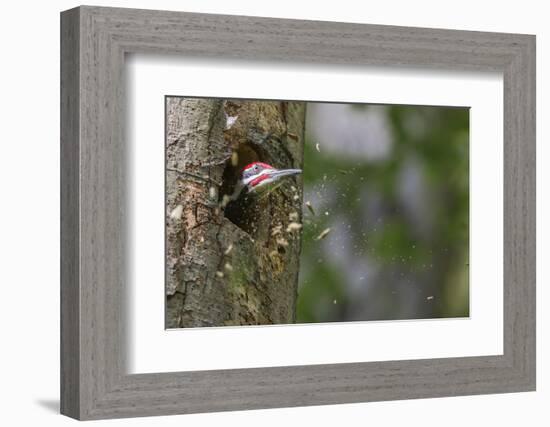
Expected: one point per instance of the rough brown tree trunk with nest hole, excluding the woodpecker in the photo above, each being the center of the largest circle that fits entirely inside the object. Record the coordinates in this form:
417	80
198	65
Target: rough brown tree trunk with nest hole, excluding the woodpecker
234	266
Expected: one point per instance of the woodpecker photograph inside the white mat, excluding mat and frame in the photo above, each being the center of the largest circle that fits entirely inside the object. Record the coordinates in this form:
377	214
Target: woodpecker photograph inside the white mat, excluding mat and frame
293	212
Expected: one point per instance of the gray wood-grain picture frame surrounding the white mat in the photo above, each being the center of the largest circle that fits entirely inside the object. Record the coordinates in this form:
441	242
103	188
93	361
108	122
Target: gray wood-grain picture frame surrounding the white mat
94	41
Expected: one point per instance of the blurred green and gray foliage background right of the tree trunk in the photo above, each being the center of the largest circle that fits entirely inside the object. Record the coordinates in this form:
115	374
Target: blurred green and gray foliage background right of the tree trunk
399	223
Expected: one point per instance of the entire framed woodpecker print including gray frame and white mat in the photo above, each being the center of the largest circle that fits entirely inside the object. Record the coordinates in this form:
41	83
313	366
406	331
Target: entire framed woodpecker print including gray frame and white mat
262	213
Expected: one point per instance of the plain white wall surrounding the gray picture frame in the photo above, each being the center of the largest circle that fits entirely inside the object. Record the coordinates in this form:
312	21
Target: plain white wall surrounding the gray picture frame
29	229
